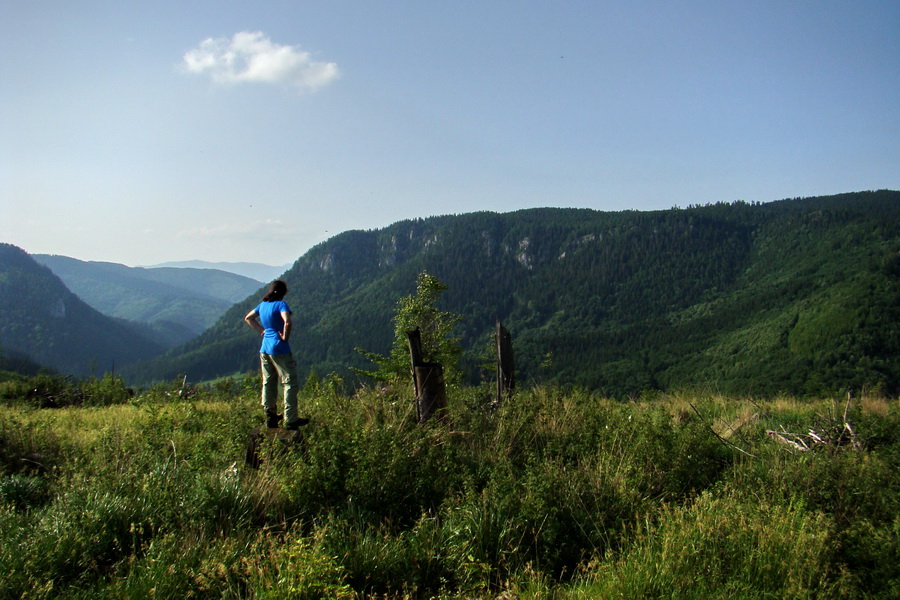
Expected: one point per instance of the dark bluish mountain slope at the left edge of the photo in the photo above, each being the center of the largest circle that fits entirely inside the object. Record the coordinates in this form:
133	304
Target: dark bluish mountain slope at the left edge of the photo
44	322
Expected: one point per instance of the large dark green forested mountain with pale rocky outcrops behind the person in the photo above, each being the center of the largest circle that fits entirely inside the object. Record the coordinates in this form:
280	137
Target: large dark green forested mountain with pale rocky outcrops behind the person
796	296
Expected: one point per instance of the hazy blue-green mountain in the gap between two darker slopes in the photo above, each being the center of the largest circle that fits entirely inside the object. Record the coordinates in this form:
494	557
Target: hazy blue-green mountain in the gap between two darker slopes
175	303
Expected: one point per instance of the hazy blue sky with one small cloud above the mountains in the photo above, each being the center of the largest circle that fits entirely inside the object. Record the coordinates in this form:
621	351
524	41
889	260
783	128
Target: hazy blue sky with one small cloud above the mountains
143	132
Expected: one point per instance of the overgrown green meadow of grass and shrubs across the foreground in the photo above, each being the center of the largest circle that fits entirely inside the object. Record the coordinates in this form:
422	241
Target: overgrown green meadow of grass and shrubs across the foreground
552	495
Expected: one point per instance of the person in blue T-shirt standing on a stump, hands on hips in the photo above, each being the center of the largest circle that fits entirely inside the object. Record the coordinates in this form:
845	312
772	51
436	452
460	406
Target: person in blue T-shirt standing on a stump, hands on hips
272	319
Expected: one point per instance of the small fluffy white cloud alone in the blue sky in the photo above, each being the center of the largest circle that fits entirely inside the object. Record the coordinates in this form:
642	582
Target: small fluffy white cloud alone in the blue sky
253	57
